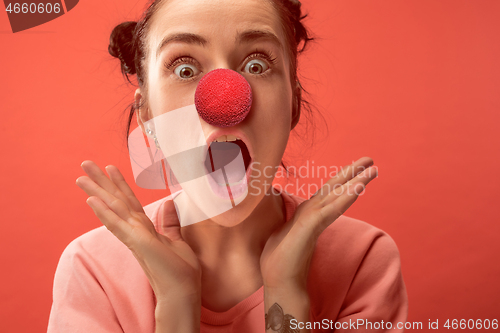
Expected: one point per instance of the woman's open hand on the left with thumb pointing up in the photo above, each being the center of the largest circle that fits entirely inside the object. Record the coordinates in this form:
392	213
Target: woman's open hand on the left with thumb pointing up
169	263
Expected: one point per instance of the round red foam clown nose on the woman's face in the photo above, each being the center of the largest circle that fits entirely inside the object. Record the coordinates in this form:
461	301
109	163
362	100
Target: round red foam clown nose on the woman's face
223	97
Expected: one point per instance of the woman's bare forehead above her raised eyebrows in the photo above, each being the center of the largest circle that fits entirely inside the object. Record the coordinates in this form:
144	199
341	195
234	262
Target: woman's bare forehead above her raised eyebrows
215	20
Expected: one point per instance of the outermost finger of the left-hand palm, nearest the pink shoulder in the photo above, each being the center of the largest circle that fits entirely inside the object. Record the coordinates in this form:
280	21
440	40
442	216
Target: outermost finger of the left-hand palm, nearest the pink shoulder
120	228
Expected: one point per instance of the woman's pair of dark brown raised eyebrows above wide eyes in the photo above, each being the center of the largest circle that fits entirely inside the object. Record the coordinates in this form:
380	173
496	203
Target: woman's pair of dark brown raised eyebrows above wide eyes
247	36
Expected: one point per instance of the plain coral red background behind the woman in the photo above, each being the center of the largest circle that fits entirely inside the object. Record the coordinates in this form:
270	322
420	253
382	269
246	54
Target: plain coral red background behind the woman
414	84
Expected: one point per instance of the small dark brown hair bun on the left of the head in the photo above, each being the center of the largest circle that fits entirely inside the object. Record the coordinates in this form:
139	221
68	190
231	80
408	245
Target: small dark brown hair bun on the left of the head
121	46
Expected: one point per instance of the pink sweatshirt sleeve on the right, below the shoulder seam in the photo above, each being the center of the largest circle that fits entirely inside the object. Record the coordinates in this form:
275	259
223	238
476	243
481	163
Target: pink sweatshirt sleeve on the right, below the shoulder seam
377	294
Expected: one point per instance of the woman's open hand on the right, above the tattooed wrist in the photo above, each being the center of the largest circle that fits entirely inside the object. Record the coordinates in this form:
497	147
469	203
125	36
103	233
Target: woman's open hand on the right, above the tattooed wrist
287	254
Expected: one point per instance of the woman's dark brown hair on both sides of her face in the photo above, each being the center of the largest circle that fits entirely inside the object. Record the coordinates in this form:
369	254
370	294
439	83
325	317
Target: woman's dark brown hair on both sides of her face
128	43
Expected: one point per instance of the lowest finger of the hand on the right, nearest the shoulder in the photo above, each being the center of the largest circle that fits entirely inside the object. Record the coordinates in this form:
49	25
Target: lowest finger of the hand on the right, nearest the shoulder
331	212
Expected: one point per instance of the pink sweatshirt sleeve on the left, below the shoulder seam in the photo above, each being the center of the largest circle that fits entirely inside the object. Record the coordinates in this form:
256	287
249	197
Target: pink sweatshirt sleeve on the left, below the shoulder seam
79	302
